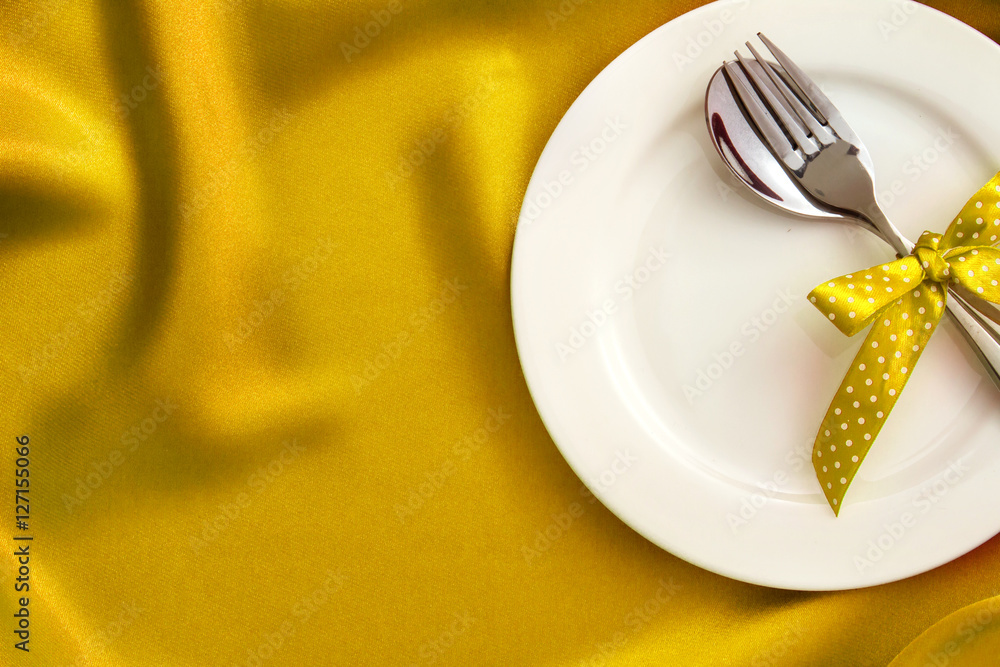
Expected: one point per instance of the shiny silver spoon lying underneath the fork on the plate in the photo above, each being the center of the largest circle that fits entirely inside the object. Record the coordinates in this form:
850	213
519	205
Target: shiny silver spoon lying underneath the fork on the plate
755	166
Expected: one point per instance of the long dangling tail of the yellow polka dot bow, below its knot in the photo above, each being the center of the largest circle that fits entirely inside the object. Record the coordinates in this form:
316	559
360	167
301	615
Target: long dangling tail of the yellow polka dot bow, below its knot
871	387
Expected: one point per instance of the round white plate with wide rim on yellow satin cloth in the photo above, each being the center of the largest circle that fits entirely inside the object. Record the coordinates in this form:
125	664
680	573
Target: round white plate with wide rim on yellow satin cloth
723	479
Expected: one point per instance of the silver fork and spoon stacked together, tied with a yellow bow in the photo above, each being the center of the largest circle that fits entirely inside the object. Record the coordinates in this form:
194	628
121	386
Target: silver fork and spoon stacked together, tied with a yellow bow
791	146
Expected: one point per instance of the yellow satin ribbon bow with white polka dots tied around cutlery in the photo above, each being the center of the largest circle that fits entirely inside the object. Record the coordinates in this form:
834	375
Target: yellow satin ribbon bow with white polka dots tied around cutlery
902	301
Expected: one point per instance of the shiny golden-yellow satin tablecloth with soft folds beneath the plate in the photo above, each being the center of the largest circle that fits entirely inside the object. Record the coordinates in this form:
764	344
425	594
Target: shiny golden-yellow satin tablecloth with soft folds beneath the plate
256	327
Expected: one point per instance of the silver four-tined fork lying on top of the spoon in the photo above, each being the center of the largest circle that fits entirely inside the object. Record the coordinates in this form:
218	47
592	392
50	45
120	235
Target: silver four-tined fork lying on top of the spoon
818	148
